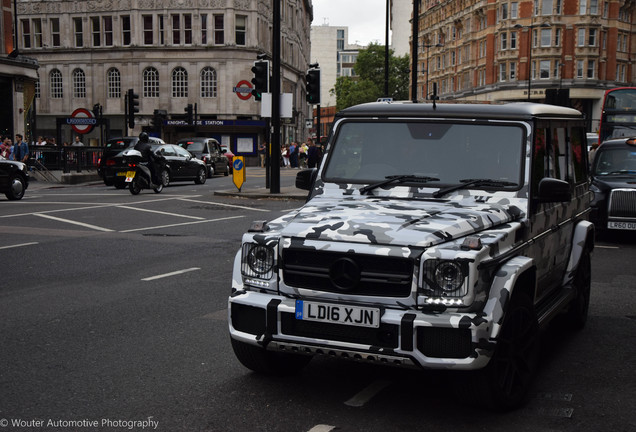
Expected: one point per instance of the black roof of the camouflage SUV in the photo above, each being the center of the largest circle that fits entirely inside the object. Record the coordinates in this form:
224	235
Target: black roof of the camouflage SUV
509	111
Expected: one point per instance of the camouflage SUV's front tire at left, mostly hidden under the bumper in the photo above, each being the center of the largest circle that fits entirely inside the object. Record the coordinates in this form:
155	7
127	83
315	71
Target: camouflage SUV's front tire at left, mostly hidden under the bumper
267	362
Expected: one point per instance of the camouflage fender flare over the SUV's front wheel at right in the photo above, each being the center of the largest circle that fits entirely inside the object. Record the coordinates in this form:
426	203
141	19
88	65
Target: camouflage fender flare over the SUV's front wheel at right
501	290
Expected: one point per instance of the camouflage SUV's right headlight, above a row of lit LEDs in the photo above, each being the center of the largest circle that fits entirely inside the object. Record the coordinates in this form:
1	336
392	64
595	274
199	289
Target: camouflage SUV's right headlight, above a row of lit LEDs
445	281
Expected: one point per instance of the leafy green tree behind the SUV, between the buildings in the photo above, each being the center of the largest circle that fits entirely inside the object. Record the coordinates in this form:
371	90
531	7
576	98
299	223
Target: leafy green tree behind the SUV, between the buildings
368	85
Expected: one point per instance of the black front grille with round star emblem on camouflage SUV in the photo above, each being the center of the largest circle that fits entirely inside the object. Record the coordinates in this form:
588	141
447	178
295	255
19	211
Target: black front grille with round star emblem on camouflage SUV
348	273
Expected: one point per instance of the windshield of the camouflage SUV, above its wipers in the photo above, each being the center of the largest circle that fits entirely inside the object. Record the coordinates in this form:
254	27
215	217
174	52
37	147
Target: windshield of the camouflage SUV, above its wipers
368	152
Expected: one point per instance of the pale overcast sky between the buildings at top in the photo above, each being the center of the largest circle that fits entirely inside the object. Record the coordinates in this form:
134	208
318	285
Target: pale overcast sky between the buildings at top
366	19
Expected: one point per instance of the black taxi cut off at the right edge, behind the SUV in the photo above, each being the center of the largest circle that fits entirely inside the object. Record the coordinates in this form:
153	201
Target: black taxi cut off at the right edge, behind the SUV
613	178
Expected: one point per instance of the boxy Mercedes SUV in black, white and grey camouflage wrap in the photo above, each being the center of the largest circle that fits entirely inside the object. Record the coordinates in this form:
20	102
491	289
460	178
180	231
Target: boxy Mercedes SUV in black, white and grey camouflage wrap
434	236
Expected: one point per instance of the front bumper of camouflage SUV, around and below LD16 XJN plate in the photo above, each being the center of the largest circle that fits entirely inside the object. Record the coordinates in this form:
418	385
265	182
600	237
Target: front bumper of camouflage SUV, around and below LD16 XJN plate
406	338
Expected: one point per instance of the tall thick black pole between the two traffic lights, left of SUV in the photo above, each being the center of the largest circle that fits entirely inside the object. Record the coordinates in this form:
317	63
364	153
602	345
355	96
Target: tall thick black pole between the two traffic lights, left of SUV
275	91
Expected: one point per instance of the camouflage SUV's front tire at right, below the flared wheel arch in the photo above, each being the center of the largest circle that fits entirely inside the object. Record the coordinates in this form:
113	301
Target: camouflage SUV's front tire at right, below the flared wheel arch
503	385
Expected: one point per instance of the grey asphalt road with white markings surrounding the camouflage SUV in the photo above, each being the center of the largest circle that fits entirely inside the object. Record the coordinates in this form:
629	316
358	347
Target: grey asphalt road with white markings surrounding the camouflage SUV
113	313
